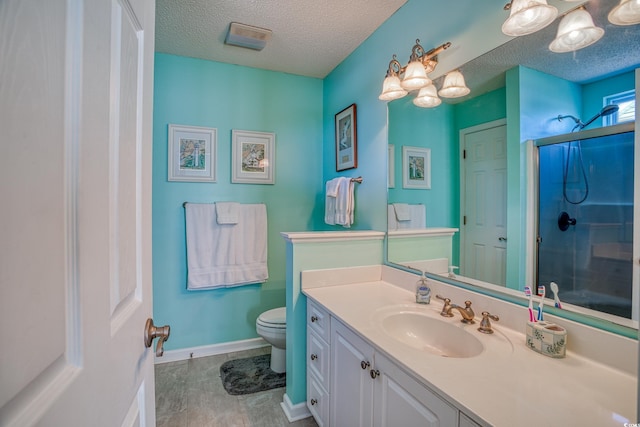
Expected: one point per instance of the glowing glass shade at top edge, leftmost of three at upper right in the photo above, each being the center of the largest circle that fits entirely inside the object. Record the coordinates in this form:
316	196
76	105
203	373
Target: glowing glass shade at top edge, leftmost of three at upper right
528	16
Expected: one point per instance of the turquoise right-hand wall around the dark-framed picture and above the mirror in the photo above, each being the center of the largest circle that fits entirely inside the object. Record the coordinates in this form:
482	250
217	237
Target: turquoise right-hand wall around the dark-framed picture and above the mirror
358	79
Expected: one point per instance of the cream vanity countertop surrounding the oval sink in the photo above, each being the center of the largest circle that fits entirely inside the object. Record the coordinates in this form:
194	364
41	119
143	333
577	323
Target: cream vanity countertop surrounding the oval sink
507	384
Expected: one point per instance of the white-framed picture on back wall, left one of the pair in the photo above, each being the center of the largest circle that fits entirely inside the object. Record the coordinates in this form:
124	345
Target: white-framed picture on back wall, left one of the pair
192	153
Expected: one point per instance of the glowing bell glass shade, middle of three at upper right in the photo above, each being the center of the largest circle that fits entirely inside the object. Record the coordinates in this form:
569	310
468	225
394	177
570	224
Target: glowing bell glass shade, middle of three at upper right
576	31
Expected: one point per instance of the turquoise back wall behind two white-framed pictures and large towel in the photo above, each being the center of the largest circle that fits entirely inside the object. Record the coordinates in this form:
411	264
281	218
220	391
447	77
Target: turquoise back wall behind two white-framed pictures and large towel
223	96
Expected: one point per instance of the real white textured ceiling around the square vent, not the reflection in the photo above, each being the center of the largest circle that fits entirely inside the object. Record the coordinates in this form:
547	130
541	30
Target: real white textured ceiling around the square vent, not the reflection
310	38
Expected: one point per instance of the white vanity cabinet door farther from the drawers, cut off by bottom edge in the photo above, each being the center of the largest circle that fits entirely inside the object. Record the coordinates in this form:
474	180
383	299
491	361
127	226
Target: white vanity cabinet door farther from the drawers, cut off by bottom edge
402	401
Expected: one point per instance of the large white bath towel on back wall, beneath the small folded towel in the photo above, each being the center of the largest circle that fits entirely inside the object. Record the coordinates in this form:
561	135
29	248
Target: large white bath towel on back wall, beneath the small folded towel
225	255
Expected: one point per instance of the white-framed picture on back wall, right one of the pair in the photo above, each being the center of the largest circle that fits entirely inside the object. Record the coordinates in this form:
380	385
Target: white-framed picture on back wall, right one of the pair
252	157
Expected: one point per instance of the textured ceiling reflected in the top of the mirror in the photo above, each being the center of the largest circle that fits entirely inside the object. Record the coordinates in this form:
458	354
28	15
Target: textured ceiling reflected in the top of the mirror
616	52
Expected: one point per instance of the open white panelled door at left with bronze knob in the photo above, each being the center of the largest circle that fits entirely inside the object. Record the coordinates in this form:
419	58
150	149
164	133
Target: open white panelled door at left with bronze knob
76	81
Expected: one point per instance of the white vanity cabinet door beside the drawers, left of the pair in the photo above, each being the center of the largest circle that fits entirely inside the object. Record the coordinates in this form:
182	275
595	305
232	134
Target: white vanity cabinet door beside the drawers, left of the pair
351	386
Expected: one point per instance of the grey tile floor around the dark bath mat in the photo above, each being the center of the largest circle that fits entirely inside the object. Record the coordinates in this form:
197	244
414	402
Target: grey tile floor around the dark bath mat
189	393
